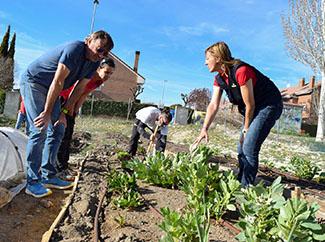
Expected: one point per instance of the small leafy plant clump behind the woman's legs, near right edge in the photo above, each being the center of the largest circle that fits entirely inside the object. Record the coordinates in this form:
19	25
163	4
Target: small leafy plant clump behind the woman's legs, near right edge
303	169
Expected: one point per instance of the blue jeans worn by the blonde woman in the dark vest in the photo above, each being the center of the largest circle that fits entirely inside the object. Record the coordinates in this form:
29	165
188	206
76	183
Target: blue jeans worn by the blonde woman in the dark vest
260	127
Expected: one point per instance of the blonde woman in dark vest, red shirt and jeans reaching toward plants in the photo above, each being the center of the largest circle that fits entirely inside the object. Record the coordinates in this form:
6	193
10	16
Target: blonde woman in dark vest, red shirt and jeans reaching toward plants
258	100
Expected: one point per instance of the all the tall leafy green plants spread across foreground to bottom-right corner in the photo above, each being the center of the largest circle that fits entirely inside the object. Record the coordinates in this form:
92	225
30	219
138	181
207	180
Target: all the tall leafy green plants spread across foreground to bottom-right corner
265	214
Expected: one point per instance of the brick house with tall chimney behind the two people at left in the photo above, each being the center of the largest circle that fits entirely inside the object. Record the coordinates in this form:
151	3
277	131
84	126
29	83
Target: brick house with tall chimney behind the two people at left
124	78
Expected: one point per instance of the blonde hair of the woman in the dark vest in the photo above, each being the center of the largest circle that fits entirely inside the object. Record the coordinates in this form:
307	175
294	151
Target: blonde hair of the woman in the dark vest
221	50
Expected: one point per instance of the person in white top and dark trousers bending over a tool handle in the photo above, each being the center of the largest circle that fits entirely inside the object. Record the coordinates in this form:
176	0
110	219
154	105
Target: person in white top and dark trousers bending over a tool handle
149	118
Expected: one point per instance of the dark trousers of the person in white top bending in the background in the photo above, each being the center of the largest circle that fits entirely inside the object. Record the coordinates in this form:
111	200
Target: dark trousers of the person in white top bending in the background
161	140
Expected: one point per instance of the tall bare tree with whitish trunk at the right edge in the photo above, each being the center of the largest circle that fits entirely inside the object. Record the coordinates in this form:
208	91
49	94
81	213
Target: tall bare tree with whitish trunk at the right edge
304	32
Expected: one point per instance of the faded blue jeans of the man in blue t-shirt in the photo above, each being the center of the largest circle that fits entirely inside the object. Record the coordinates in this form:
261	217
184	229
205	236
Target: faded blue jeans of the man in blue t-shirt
37	156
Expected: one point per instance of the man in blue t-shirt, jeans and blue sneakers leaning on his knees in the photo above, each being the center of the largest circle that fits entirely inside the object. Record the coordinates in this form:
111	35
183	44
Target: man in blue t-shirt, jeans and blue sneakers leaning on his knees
41	83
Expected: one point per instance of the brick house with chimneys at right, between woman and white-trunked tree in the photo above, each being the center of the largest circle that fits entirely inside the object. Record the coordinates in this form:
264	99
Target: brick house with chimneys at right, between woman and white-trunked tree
305	95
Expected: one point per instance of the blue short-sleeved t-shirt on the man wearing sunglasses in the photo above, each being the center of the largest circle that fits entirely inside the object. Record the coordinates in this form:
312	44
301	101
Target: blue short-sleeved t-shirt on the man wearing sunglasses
71	54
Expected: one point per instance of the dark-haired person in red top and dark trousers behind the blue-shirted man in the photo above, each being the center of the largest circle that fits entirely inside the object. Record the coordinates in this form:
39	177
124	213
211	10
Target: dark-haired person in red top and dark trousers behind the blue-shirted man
104	72
